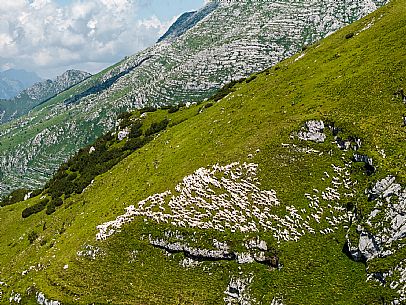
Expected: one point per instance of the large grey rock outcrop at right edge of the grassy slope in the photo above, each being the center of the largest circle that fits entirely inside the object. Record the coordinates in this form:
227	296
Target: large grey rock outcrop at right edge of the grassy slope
383	233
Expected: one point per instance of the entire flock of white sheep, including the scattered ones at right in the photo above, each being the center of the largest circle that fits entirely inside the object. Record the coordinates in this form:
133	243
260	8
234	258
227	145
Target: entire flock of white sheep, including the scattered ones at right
229	198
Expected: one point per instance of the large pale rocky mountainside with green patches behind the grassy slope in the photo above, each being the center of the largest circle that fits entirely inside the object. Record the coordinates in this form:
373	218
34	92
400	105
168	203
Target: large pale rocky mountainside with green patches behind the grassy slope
231	40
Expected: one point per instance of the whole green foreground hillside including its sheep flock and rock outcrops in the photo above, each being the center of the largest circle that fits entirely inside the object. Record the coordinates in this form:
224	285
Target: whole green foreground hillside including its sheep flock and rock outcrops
263	198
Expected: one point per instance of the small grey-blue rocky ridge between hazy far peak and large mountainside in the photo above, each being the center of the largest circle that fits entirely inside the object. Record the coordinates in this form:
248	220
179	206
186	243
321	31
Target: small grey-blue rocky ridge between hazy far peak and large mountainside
39	93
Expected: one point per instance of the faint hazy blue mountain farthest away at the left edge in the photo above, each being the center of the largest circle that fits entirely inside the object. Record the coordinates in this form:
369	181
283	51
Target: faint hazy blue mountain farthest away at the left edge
13	81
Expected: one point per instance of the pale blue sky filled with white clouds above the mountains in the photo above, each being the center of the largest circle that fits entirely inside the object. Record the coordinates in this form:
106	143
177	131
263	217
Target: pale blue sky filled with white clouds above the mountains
51	36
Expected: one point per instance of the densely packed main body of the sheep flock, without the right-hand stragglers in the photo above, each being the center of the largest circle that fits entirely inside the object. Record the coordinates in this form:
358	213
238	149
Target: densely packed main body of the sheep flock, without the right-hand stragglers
228	196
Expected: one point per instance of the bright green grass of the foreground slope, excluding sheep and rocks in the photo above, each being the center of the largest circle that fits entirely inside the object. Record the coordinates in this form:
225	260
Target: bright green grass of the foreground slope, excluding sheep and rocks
350	79
